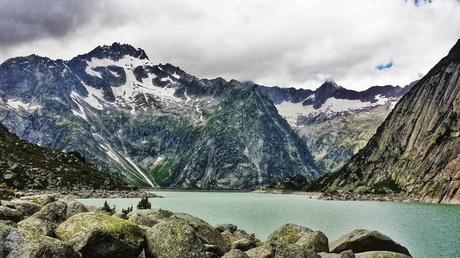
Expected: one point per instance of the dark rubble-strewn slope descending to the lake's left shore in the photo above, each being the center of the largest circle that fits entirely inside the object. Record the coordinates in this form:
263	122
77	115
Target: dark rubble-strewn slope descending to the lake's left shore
26	166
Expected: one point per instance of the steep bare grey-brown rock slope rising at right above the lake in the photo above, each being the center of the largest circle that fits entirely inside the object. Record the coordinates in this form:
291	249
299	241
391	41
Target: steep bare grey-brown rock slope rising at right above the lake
417	149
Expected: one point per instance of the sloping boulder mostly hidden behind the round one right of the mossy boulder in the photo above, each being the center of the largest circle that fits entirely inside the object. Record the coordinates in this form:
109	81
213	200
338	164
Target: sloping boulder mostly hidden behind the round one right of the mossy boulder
206	232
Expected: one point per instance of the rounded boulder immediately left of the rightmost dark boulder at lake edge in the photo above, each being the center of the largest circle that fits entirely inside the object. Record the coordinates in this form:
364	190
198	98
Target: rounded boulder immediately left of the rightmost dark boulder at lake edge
287	234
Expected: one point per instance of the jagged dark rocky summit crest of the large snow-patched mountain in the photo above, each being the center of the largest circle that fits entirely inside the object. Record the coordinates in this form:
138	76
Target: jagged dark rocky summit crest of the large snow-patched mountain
116	51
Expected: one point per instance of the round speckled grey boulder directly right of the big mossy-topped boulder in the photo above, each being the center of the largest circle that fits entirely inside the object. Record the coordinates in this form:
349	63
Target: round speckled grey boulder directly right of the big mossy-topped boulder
173	238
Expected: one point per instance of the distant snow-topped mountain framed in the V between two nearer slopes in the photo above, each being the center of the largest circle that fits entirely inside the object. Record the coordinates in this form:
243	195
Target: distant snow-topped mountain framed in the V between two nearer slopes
334	122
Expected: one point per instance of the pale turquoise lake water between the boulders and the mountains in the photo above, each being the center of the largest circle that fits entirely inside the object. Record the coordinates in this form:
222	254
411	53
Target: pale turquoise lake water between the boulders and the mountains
427	230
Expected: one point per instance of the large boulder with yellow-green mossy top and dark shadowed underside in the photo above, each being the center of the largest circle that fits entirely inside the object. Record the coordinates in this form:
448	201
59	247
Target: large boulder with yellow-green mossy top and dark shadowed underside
96	234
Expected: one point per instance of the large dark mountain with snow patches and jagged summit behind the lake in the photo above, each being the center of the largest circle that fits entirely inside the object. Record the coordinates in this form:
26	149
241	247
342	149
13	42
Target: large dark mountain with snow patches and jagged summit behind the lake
155	124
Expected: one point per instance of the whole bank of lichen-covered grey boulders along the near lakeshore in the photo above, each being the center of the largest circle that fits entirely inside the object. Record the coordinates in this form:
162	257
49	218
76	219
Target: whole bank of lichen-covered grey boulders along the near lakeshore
45	226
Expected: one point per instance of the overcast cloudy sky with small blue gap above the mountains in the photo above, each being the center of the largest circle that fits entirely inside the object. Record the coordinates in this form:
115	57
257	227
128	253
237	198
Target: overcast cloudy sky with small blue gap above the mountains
358	43
